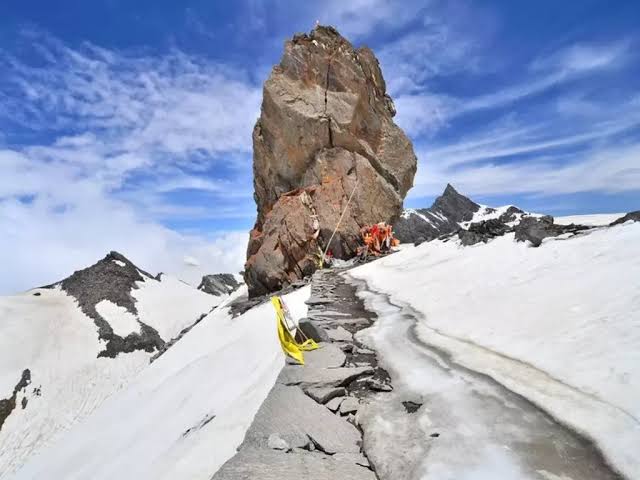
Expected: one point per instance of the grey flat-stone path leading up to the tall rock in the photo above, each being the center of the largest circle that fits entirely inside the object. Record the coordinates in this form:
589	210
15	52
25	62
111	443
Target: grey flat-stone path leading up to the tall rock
308	425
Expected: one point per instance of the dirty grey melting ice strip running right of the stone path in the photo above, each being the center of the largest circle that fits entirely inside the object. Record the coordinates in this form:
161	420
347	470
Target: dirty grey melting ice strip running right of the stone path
469	426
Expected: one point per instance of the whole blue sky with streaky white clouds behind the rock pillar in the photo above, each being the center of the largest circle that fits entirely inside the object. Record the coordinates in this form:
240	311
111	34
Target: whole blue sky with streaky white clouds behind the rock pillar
127	125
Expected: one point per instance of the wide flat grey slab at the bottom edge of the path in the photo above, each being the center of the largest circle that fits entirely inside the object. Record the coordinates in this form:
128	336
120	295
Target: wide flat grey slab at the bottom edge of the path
273	465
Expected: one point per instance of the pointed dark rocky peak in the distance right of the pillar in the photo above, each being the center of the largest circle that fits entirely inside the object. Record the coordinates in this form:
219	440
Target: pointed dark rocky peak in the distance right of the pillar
443	217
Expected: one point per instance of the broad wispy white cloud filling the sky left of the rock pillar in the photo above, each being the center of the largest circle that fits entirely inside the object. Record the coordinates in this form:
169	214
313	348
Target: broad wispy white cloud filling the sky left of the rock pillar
116	134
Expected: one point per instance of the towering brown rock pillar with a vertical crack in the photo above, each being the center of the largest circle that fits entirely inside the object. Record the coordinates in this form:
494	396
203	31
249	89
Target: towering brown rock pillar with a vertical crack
325	129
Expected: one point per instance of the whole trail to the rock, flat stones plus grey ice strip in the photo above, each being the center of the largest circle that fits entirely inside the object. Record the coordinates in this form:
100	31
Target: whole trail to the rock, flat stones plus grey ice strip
339	416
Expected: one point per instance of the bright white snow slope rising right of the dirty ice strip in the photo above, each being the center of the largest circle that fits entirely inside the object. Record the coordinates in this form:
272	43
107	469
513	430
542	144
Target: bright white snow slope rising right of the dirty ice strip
559	324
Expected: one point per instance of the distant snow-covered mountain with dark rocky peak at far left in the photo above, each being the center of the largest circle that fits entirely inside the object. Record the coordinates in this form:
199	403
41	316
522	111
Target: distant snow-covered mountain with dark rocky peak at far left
62	355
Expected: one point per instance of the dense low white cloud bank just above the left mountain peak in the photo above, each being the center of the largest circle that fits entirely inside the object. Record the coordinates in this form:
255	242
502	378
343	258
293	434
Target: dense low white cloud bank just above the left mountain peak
43	243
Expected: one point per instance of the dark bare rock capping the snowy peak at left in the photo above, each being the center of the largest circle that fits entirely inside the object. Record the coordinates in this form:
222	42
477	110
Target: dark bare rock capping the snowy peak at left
112	278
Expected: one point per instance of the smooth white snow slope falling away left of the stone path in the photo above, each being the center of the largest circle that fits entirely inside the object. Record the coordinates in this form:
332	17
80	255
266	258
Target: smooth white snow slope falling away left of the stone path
186	413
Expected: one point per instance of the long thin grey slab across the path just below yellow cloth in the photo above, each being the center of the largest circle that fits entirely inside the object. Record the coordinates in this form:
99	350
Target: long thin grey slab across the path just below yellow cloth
321	377
